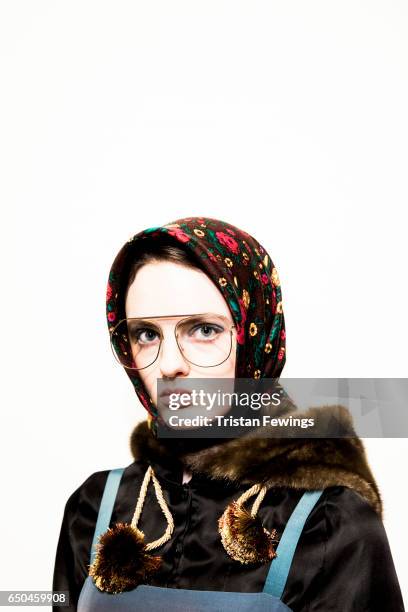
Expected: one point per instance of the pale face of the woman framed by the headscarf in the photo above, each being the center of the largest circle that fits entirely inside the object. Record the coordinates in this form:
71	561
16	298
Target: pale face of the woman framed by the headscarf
165	289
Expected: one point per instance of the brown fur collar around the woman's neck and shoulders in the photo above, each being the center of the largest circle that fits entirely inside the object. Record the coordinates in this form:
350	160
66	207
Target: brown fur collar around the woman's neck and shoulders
301	463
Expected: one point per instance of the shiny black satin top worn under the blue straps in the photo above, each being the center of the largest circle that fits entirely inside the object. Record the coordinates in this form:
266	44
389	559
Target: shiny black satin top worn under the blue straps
342	563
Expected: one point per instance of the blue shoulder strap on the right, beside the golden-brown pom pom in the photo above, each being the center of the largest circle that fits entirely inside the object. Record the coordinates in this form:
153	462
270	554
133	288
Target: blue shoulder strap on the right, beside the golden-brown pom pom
280	566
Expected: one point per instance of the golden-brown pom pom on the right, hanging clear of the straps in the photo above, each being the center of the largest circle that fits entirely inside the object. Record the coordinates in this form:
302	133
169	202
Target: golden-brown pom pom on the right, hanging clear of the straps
244	537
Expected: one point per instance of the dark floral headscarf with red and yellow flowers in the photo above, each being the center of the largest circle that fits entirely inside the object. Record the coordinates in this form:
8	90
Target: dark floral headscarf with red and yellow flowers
247	278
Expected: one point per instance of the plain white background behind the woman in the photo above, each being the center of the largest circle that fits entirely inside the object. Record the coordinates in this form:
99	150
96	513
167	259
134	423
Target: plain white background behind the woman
287	119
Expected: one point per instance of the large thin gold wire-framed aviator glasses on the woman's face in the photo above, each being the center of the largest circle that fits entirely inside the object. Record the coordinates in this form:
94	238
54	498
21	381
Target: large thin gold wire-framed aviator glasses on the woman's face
204	340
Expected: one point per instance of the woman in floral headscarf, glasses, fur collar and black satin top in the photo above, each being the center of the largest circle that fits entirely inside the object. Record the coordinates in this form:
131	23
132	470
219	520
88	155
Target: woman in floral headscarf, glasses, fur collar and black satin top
192	528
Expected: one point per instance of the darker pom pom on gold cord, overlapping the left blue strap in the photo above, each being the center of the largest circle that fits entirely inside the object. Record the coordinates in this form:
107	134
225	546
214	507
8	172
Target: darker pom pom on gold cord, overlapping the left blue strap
121	562
